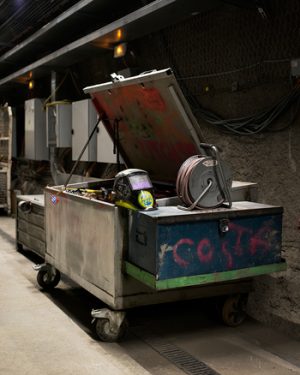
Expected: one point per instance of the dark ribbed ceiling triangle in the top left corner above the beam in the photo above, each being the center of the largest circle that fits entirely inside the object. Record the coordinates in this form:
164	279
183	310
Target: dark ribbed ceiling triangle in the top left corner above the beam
21	18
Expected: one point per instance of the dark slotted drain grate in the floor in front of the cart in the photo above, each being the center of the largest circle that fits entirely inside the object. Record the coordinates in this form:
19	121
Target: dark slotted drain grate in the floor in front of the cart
180	358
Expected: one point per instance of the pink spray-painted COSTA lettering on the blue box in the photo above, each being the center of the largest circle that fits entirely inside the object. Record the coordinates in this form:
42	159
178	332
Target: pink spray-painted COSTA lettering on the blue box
239	241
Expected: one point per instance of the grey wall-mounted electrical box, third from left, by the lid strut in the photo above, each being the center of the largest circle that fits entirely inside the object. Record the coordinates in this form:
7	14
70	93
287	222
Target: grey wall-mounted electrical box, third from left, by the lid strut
84	118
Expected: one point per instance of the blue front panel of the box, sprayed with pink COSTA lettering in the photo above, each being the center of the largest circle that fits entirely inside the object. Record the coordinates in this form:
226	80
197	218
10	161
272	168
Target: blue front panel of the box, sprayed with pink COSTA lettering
199	247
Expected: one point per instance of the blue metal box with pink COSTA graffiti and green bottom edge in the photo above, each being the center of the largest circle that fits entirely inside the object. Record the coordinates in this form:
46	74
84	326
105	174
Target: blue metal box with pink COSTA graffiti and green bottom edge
176	248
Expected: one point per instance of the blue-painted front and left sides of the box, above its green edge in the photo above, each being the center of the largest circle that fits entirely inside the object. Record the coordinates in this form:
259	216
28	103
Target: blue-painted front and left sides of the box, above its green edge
197	247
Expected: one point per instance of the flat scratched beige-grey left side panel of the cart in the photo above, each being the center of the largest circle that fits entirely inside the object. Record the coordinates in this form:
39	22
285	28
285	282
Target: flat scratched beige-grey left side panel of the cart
80	238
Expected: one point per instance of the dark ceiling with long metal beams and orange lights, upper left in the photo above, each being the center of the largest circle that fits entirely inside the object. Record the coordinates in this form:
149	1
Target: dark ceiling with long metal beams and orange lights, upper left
37	36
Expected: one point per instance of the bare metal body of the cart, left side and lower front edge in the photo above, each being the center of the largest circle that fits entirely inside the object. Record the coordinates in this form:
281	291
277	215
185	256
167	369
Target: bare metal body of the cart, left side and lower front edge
87	240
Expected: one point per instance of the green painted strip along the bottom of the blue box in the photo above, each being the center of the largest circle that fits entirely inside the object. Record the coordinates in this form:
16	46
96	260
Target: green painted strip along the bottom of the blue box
179	282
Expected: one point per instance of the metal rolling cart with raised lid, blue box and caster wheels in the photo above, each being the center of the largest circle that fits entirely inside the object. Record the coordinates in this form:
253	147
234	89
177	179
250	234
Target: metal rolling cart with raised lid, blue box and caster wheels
157	249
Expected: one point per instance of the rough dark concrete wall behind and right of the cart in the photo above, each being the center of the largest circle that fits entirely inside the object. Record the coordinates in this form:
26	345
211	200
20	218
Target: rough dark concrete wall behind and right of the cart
257	52
